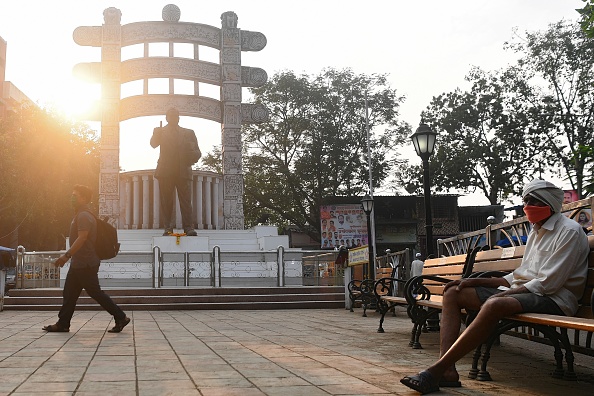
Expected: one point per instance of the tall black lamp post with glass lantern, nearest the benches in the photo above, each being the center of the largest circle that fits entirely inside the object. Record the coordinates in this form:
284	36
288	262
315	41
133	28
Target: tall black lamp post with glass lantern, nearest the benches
424	142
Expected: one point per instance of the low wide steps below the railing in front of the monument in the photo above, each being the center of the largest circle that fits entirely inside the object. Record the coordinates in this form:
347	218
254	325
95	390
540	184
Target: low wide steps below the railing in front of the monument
187	298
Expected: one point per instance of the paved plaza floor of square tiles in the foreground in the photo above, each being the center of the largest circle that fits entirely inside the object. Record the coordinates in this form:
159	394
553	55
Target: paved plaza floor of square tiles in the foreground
244	353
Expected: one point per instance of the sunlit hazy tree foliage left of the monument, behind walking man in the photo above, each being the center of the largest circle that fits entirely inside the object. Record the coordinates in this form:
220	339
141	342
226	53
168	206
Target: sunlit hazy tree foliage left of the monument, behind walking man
41	157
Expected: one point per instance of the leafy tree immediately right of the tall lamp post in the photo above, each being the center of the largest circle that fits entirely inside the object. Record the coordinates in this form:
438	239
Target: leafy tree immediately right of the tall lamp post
482	138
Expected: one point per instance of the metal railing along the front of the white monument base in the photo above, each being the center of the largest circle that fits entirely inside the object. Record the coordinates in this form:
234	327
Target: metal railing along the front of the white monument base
216	268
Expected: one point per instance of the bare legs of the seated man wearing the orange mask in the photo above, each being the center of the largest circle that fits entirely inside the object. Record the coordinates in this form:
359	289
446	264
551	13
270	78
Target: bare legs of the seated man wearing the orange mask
452	349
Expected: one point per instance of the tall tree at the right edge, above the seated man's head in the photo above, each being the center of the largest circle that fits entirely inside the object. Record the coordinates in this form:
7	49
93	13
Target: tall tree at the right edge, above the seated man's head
562	57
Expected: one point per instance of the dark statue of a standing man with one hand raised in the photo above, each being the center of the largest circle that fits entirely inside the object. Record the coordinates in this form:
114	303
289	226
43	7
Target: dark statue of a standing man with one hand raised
179	151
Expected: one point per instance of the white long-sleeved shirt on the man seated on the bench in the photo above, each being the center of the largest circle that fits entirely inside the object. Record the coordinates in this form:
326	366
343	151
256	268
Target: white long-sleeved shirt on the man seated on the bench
555	263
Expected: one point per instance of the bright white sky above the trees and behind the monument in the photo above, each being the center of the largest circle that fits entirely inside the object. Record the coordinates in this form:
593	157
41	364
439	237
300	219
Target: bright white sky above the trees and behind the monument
426	48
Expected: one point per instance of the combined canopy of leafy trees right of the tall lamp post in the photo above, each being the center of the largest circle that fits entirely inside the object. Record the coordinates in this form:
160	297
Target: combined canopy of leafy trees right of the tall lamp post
531	119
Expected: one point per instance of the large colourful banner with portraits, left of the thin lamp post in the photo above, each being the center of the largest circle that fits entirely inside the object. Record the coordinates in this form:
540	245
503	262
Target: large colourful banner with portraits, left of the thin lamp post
343	225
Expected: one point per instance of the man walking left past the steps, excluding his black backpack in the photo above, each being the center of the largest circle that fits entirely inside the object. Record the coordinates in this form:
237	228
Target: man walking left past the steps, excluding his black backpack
84	266
